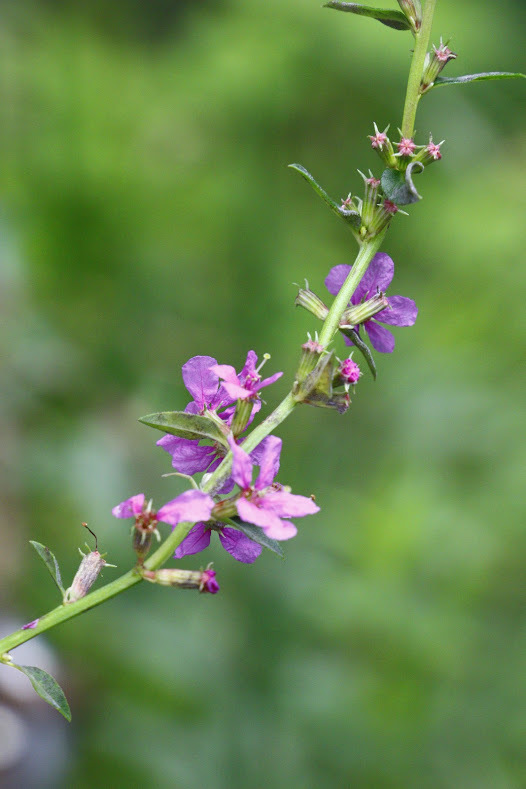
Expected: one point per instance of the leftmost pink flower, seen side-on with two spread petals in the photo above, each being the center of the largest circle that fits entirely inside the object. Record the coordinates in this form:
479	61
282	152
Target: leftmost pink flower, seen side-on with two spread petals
190	506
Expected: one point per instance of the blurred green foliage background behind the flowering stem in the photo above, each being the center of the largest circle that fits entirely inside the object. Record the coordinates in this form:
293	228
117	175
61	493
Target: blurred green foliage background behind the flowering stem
146	216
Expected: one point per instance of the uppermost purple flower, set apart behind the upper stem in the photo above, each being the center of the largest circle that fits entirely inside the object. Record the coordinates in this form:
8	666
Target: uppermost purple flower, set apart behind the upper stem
401	311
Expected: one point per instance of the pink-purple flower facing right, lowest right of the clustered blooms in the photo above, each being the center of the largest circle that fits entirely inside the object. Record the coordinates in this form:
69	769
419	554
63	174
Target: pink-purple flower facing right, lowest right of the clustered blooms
265	503
